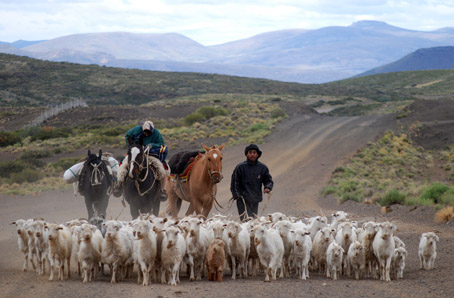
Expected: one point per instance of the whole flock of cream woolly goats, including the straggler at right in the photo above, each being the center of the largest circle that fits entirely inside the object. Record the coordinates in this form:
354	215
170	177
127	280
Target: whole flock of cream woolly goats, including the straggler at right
162	247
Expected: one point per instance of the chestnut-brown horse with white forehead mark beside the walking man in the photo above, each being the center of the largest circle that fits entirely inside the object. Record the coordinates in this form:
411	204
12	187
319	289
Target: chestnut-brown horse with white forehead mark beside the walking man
200	187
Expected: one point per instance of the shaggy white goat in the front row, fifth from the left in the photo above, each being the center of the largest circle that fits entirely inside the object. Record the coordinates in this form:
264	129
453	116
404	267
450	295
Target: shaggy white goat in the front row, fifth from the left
117	249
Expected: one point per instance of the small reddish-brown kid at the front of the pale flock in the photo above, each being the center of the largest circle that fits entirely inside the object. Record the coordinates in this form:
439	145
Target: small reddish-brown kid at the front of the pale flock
215	260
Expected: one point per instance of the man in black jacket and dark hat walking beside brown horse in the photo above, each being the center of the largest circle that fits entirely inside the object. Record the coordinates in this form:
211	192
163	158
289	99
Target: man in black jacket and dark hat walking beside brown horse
247	180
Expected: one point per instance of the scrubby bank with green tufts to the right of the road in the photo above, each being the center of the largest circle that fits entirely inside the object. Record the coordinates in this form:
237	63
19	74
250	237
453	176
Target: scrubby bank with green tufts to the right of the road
393	171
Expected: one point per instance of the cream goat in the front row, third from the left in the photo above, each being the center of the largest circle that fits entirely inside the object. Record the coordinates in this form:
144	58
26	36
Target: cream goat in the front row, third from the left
60	247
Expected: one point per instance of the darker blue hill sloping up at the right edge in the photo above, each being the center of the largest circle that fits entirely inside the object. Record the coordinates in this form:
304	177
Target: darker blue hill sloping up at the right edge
422	59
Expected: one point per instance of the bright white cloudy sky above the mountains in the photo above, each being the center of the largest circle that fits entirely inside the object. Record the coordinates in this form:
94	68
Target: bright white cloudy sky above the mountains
210	22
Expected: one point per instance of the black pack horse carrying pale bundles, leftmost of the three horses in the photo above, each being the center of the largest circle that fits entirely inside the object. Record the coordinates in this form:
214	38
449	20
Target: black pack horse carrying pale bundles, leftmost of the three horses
95	184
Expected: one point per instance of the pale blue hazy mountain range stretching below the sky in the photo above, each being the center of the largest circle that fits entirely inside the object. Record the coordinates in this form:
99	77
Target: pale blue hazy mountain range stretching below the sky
294	55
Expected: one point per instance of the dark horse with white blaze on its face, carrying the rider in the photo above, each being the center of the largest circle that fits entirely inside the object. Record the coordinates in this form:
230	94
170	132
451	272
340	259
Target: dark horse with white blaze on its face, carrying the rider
142	187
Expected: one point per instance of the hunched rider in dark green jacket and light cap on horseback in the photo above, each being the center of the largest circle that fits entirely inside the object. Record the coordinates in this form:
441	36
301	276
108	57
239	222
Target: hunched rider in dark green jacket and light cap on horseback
150	137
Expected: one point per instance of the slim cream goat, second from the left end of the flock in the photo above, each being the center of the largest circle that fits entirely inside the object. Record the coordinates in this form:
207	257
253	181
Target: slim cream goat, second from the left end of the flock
41	244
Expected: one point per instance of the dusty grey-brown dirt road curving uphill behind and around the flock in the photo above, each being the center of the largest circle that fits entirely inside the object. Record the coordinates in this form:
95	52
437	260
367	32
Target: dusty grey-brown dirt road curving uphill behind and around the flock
301	154
